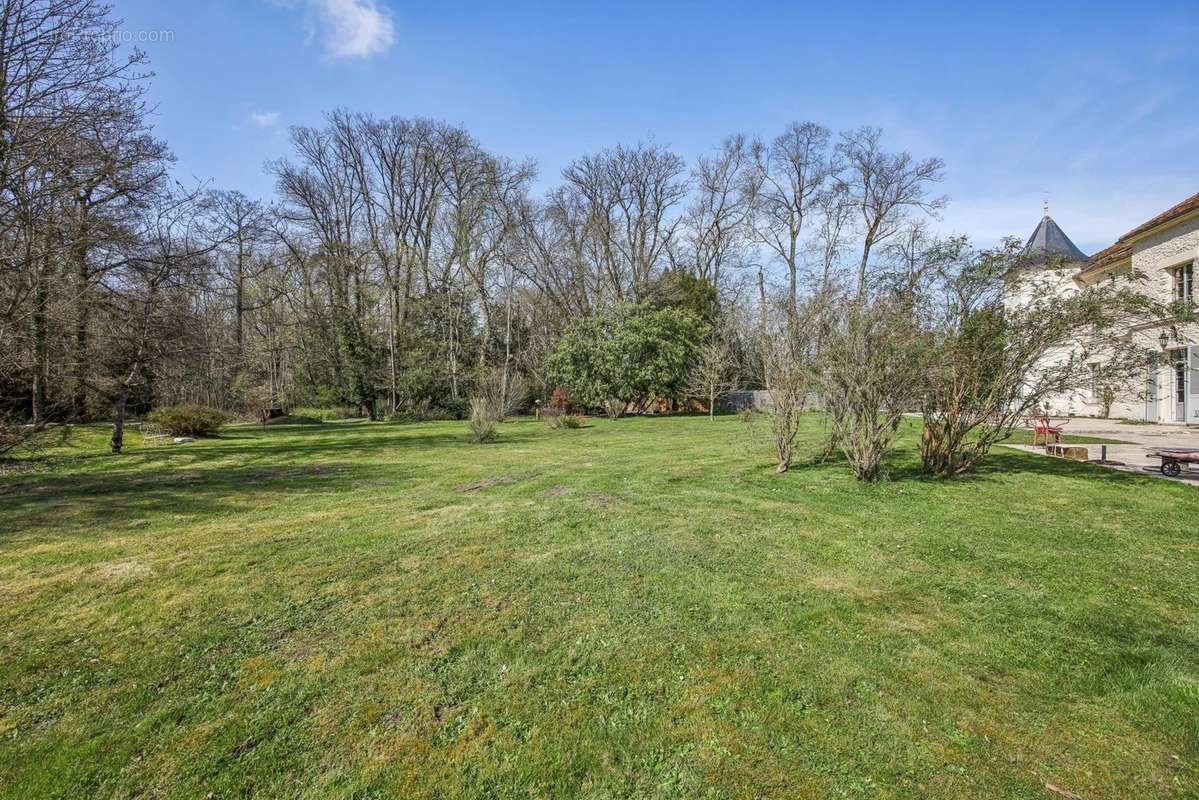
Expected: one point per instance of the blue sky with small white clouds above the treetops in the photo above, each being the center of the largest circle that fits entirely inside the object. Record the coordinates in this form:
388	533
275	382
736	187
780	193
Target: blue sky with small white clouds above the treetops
1094	104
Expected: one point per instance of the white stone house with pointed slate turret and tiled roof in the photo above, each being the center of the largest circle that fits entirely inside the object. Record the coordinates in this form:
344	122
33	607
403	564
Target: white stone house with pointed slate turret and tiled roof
1165	255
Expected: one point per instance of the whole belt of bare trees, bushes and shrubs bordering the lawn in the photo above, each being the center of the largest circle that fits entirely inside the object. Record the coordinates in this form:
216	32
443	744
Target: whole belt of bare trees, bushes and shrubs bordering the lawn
402	268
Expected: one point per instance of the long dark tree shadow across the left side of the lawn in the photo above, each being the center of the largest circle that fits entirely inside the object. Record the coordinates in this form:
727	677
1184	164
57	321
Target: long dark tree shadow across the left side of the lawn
227	476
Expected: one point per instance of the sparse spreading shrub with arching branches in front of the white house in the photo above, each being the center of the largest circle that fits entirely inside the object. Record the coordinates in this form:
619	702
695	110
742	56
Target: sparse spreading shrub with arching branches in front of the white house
990	368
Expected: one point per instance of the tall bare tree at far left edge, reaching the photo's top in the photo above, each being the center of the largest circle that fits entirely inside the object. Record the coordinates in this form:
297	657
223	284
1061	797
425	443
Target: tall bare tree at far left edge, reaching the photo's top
65	89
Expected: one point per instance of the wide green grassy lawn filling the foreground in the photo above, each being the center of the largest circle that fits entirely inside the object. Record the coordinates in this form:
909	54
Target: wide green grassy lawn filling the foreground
635	610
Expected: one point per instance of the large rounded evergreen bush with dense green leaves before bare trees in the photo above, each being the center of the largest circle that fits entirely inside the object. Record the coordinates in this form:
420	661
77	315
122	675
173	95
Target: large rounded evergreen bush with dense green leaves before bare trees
622	359
